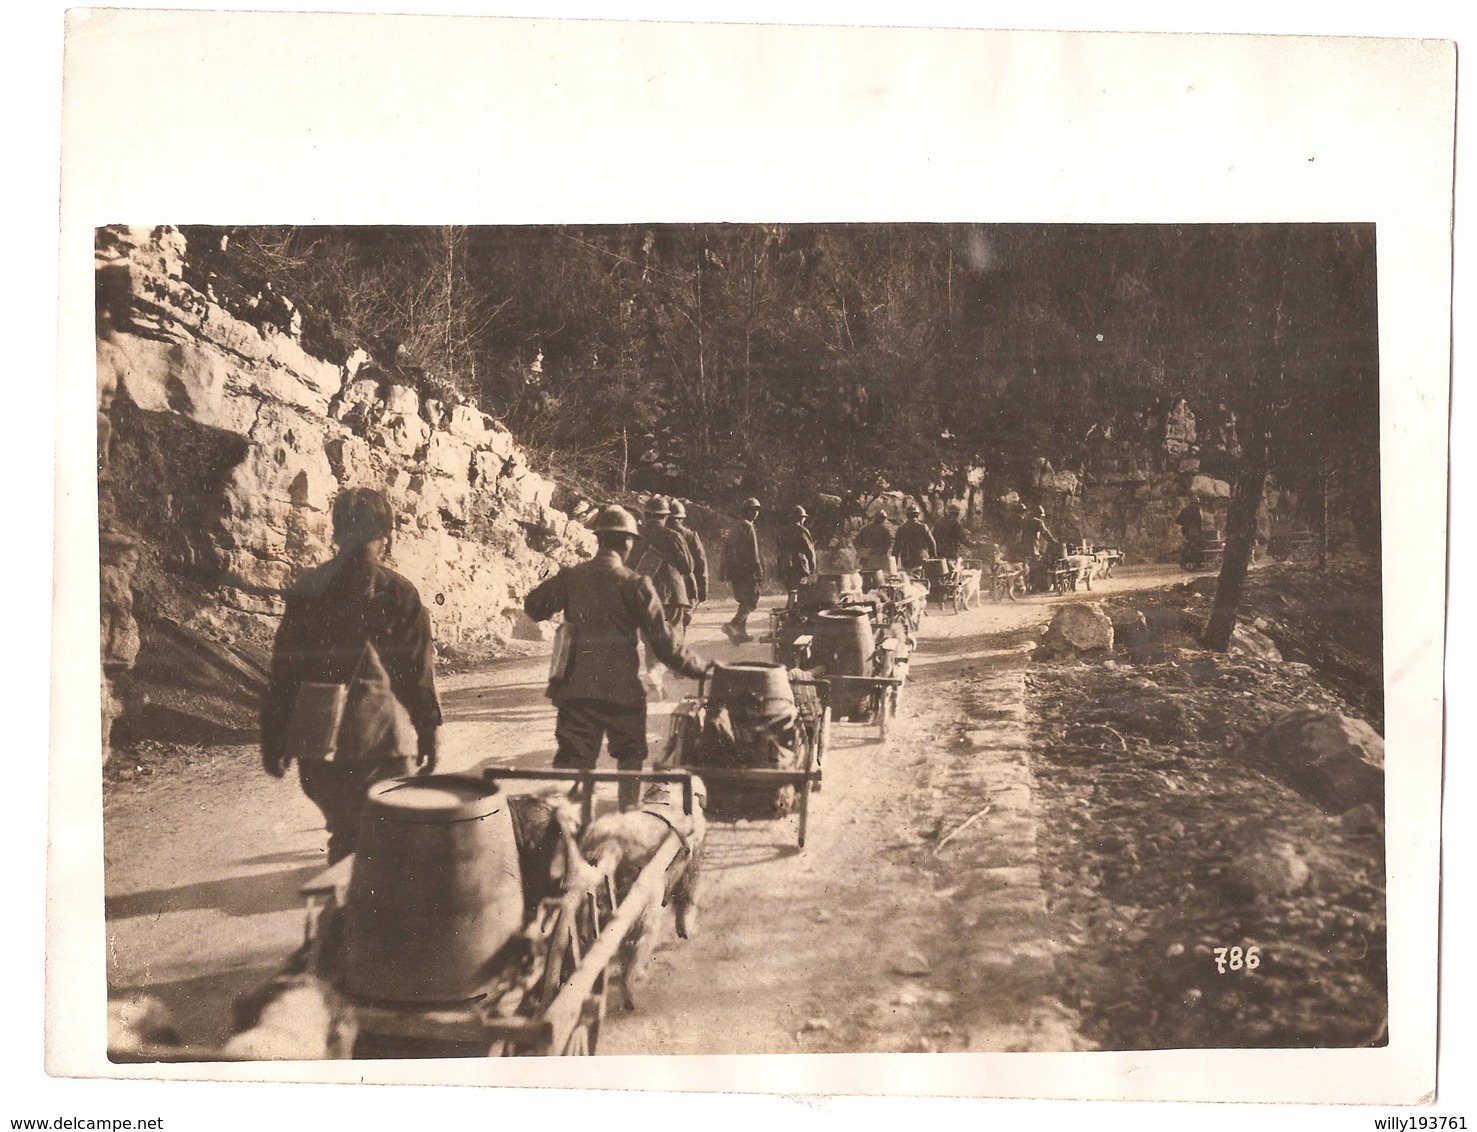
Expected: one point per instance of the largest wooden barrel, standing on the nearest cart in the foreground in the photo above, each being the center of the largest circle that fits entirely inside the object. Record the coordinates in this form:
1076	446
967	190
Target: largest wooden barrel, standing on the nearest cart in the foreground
435	890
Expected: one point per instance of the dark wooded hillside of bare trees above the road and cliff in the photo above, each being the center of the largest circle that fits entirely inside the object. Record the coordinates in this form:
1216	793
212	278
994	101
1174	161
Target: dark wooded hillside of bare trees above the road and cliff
784	361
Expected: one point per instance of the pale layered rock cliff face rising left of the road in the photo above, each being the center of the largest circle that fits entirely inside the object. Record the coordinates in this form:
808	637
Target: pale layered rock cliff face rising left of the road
222	444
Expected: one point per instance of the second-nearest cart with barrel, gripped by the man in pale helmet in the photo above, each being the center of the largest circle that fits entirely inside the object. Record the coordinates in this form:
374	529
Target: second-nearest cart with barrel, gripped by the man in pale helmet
755	737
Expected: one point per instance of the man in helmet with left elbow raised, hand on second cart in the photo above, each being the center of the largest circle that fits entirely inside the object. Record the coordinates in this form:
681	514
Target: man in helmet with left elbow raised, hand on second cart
609	608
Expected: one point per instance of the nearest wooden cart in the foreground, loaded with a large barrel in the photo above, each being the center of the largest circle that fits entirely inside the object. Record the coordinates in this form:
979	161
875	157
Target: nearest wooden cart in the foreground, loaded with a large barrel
441	948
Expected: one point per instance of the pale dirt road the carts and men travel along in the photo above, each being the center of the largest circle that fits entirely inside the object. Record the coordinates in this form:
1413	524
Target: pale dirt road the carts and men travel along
914	920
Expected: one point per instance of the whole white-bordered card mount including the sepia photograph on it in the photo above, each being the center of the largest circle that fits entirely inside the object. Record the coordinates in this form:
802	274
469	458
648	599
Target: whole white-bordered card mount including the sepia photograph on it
999	484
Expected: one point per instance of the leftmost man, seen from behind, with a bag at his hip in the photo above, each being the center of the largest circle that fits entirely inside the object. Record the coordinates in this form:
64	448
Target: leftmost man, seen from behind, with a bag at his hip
352	621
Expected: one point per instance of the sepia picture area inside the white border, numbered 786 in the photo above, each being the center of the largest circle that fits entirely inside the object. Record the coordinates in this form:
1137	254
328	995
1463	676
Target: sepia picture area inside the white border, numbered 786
1008	598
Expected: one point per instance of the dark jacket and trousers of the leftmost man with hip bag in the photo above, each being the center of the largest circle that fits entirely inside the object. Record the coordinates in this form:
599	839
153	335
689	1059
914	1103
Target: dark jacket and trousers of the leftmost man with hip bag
332	614
